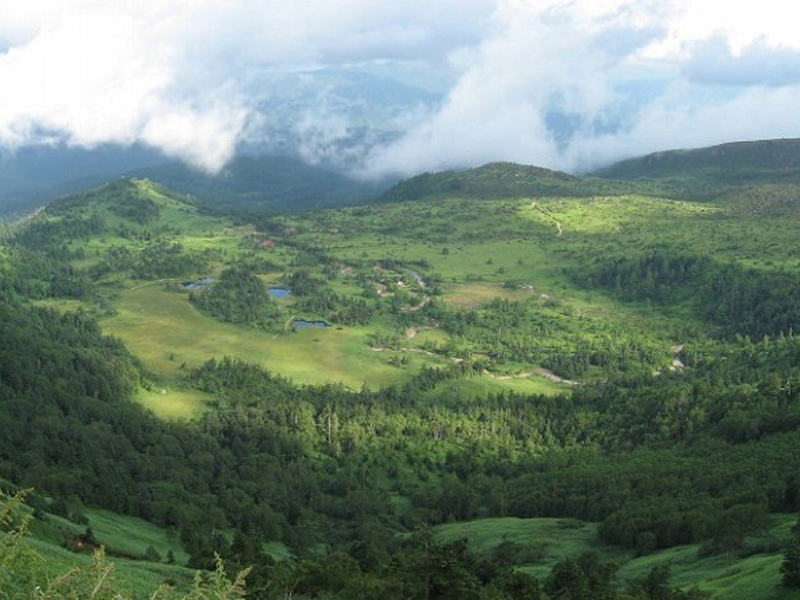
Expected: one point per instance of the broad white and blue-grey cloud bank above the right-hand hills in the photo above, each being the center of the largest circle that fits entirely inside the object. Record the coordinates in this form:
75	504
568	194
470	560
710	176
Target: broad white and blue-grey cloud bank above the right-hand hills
700	69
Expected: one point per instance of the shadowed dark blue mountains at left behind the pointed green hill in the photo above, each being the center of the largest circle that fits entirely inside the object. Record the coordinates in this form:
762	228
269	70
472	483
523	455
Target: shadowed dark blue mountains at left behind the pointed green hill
37	176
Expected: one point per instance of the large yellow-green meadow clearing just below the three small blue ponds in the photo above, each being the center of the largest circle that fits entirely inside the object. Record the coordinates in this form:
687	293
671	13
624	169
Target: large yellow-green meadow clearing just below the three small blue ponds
169	335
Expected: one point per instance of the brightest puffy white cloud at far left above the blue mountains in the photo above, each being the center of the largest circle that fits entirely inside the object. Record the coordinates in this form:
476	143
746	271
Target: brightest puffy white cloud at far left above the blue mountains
105	75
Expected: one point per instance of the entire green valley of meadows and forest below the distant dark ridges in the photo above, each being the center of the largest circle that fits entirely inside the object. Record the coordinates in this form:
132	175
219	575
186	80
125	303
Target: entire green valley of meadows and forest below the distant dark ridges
592	383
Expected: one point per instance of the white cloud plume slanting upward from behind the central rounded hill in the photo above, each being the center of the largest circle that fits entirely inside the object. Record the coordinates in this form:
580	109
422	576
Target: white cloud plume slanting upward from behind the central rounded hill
498	108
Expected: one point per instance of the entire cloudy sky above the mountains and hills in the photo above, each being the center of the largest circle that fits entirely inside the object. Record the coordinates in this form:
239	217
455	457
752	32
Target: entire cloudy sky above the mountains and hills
571	85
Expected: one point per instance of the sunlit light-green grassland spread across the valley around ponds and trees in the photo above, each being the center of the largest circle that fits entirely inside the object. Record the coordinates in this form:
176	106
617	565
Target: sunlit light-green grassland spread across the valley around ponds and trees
472	253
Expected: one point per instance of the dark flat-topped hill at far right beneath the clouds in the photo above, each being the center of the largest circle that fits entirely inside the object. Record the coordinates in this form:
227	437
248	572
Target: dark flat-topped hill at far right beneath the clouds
772	161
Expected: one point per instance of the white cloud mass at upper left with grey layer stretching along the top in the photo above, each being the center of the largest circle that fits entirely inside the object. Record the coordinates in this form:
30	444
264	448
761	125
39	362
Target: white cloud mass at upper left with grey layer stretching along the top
173	73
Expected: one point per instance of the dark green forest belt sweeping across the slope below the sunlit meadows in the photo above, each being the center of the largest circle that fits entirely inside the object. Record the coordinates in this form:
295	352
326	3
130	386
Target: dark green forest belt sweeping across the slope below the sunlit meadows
319	465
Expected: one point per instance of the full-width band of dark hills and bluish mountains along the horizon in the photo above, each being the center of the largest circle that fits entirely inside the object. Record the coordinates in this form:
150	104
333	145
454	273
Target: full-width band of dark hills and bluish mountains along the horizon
273	184
